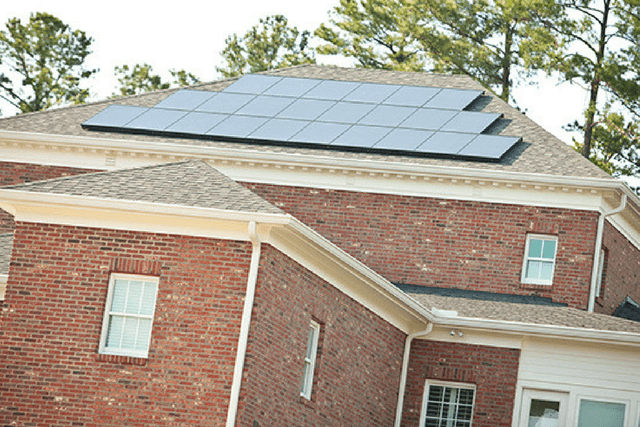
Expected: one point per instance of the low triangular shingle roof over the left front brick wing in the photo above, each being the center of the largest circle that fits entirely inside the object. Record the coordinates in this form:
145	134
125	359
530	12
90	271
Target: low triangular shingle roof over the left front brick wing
188	183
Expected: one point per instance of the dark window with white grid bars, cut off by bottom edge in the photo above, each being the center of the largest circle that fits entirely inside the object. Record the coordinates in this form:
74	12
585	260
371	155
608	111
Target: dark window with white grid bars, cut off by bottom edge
447	405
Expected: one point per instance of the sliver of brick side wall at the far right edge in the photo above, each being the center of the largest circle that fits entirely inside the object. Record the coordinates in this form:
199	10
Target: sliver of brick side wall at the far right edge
621	273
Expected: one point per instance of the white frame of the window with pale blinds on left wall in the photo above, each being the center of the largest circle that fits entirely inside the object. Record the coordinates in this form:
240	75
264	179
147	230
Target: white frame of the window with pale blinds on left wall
108	313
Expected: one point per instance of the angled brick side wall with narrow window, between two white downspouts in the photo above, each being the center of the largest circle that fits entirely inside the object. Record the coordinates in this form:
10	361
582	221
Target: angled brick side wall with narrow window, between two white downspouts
359	361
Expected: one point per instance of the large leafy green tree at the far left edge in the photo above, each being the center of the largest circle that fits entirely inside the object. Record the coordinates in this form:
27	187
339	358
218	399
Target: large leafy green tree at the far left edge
43	63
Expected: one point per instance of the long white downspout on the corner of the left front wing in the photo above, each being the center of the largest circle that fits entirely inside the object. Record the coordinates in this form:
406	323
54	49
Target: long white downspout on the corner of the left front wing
244	326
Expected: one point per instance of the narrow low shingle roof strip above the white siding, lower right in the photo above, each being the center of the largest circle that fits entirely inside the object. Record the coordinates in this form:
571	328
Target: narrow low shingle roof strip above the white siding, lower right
527	313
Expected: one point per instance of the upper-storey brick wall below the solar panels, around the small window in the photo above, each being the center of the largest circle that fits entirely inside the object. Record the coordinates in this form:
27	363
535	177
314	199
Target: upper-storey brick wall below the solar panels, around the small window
447	243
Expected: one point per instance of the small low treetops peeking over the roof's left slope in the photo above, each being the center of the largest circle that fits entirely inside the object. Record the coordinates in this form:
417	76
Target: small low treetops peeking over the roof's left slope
140	79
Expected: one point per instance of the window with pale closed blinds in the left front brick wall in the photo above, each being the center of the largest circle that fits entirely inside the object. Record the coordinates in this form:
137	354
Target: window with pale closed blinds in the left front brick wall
126	328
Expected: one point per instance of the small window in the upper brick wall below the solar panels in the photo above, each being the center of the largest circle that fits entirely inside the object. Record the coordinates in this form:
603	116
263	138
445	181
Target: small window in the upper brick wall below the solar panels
539	260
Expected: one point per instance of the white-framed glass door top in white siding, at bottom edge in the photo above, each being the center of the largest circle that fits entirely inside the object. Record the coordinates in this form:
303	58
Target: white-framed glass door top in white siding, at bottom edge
543	408
